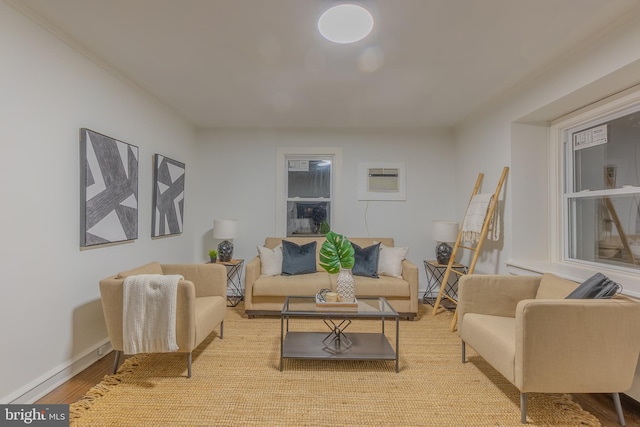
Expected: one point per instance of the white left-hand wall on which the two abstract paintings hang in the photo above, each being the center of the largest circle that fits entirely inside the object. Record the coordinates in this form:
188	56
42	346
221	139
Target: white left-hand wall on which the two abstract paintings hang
50	313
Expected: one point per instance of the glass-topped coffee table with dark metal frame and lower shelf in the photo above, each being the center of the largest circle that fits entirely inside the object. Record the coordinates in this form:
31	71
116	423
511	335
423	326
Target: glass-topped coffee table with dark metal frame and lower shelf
336	342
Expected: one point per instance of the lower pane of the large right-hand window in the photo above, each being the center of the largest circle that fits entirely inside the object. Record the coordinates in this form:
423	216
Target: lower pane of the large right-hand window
605	229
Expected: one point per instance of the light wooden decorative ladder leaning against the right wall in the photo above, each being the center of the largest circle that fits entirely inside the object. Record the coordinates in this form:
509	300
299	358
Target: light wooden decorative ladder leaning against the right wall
475	249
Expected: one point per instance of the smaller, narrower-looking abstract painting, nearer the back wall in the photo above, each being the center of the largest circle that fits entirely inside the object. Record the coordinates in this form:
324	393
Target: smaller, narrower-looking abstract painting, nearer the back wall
168	196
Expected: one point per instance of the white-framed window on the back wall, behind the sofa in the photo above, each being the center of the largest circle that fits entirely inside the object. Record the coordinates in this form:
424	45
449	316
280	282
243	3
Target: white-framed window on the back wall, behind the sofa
306	190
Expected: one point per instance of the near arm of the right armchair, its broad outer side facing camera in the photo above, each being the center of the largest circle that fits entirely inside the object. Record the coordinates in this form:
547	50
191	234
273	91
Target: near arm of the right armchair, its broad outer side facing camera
561	342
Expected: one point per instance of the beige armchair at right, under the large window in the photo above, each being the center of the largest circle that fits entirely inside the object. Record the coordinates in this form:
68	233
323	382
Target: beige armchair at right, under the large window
543	343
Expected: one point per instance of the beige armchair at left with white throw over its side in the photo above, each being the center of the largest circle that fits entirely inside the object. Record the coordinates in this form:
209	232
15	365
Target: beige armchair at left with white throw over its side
200	305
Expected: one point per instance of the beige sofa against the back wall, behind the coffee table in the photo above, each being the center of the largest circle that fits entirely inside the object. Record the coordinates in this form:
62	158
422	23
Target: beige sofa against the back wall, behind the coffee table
266	294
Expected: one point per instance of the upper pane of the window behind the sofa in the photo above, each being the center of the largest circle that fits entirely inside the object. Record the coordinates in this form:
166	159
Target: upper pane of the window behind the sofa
309	178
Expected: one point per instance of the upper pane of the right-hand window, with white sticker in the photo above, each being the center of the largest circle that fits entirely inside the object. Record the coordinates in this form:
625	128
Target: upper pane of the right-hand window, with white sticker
606	156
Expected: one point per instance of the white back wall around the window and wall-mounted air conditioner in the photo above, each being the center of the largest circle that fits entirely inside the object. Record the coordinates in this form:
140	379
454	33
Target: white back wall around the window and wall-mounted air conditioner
238	177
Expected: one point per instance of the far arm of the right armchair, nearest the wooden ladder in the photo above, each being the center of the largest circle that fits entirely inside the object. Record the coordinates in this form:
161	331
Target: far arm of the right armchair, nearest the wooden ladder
496	295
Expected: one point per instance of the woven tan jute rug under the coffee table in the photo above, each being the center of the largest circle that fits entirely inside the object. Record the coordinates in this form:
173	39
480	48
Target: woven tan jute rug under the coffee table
237	382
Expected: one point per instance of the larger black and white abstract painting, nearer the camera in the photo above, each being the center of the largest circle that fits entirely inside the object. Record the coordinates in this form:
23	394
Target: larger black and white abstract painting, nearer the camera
108	189
